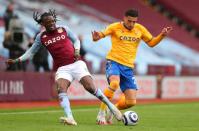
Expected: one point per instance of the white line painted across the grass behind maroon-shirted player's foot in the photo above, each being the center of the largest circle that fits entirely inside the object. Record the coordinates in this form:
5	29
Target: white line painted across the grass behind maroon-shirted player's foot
41	112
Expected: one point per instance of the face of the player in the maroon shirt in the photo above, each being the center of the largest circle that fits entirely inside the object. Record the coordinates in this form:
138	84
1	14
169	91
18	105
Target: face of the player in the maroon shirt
49	23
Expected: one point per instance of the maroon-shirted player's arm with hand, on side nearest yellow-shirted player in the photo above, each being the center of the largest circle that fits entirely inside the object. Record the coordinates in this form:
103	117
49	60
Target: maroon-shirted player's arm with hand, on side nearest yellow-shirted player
75	41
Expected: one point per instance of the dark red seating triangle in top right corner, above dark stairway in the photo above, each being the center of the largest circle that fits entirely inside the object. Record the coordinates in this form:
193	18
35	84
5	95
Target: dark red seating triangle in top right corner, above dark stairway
185	9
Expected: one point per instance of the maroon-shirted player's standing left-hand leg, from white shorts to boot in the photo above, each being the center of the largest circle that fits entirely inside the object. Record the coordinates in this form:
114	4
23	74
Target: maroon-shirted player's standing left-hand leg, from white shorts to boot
63	81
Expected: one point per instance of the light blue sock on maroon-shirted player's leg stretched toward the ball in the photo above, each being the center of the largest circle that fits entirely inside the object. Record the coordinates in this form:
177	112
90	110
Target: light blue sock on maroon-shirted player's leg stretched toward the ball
104	99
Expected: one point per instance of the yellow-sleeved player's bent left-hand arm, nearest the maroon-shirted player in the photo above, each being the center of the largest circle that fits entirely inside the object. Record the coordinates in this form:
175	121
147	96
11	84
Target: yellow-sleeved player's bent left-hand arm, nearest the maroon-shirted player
98	35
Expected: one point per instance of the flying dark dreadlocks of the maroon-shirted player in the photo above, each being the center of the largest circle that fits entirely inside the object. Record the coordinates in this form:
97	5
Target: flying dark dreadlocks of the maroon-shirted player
39	17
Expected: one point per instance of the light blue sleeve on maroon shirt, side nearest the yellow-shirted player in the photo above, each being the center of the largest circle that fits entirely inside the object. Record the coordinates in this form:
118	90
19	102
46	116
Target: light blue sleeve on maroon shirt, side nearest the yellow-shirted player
73	38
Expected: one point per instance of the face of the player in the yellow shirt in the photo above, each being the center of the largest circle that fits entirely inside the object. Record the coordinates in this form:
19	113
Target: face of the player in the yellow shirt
129	21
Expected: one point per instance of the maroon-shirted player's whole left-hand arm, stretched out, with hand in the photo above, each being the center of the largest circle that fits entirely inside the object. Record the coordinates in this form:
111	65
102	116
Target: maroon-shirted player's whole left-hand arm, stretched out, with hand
29	53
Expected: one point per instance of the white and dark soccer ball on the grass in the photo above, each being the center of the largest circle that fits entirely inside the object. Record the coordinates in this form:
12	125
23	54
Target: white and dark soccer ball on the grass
130	118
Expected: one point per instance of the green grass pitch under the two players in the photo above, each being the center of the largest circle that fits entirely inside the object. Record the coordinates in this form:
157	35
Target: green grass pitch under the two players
153	117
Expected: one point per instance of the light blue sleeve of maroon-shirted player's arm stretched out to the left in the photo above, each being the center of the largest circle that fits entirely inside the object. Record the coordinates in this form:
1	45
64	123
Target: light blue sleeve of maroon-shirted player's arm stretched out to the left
32	50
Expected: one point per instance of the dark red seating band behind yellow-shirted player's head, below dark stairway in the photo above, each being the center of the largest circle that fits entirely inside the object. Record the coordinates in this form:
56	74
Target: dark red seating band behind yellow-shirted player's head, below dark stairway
153	20
